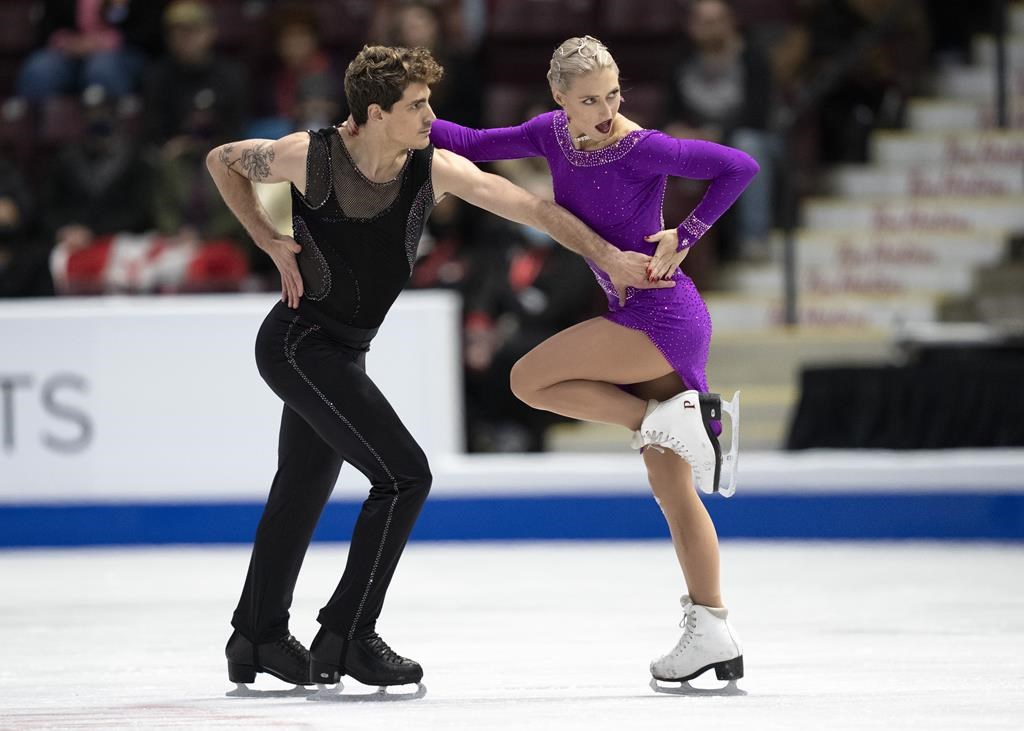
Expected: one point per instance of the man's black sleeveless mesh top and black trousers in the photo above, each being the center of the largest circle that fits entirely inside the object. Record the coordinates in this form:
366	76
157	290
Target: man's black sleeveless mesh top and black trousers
359	243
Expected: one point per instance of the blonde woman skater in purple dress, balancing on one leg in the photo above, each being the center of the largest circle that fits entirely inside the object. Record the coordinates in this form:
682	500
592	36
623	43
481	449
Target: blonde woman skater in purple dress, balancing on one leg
612	175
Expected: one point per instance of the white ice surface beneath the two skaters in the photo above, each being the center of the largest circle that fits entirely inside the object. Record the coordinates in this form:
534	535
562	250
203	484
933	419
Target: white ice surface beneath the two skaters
532	636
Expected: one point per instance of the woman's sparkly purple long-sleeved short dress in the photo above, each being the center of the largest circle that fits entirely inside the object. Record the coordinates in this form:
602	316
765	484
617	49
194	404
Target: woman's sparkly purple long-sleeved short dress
619	193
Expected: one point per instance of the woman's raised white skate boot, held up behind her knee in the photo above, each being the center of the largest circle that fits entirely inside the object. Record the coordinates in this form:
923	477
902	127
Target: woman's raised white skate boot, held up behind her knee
684	425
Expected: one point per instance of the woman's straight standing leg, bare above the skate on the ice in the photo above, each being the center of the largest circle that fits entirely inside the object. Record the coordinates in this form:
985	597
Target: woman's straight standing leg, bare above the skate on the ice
694	534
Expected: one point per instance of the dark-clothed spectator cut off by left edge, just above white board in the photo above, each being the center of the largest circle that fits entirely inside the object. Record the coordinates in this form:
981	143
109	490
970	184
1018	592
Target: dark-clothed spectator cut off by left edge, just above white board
24	268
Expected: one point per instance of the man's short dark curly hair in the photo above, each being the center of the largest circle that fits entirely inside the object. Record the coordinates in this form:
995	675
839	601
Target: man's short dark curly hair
379	75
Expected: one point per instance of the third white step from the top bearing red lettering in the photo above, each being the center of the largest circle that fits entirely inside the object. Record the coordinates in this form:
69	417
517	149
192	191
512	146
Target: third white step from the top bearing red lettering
936	214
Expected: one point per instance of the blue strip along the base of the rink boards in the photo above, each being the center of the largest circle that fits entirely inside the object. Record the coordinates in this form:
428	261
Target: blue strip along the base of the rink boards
810	517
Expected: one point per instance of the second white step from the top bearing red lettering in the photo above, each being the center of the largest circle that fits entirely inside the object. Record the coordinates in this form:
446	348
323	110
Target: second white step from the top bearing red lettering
927	180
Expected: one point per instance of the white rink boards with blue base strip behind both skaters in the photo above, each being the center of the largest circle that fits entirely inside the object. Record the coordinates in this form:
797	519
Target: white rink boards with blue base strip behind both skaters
144	422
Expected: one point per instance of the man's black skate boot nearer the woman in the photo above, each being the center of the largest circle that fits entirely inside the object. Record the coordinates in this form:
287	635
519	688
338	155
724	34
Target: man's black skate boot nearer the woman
368	660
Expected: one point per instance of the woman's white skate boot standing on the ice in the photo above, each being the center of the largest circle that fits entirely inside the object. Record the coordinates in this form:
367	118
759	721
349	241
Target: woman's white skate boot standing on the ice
708	642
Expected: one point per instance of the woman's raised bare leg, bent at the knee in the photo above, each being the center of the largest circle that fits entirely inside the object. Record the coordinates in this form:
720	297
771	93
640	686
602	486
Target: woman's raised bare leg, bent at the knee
573	373
